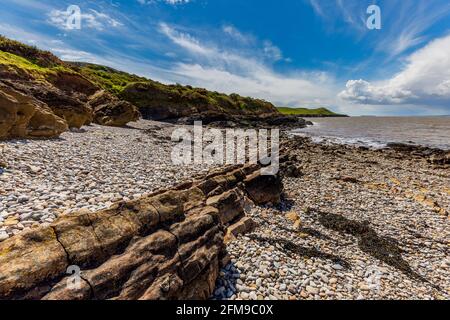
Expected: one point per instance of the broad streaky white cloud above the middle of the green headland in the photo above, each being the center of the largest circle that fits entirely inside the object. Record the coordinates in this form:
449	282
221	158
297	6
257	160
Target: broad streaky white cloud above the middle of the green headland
242	72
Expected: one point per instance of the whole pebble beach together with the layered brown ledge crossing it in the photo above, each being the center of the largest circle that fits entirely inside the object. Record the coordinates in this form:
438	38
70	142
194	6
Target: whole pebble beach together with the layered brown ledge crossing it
350	223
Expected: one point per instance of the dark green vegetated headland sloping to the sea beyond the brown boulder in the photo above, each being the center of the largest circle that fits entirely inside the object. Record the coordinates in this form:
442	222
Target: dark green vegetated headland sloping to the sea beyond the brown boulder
160	101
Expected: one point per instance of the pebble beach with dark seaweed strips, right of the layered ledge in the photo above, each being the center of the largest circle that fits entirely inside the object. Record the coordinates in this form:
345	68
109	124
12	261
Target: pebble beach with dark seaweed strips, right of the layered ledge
348	214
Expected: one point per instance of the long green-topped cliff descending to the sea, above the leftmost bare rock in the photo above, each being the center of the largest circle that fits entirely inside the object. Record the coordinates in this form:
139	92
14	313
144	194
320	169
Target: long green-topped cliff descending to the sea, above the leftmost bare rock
81	94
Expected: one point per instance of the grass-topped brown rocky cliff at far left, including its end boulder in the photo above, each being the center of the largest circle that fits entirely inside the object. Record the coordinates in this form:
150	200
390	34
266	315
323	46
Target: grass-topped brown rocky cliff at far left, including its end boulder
41	77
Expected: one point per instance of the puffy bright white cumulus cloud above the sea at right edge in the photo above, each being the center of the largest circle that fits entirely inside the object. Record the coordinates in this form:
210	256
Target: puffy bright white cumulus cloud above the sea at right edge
424	80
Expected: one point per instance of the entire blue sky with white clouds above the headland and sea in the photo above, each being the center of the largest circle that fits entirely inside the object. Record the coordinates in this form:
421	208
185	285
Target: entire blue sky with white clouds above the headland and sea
296	53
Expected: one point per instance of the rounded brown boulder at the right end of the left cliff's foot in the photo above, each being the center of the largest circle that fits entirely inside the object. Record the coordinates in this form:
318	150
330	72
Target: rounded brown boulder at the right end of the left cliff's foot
110	111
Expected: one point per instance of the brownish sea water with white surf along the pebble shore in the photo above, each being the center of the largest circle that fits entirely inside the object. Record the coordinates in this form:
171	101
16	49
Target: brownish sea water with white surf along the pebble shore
376	132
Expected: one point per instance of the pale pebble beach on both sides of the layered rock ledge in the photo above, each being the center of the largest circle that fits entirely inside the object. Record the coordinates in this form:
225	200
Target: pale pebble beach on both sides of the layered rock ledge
345	210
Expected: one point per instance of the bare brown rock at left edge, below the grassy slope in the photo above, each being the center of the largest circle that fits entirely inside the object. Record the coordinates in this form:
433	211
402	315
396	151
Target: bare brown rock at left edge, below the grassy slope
22	116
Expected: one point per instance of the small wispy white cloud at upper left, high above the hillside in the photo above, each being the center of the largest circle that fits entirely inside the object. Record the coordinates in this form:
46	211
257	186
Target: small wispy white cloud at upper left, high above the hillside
92	19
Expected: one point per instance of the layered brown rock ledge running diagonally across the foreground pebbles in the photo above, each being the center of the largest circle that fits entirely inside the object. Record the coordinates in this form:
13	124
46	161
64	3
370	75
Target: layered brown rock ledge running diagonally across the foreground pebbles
168	245
